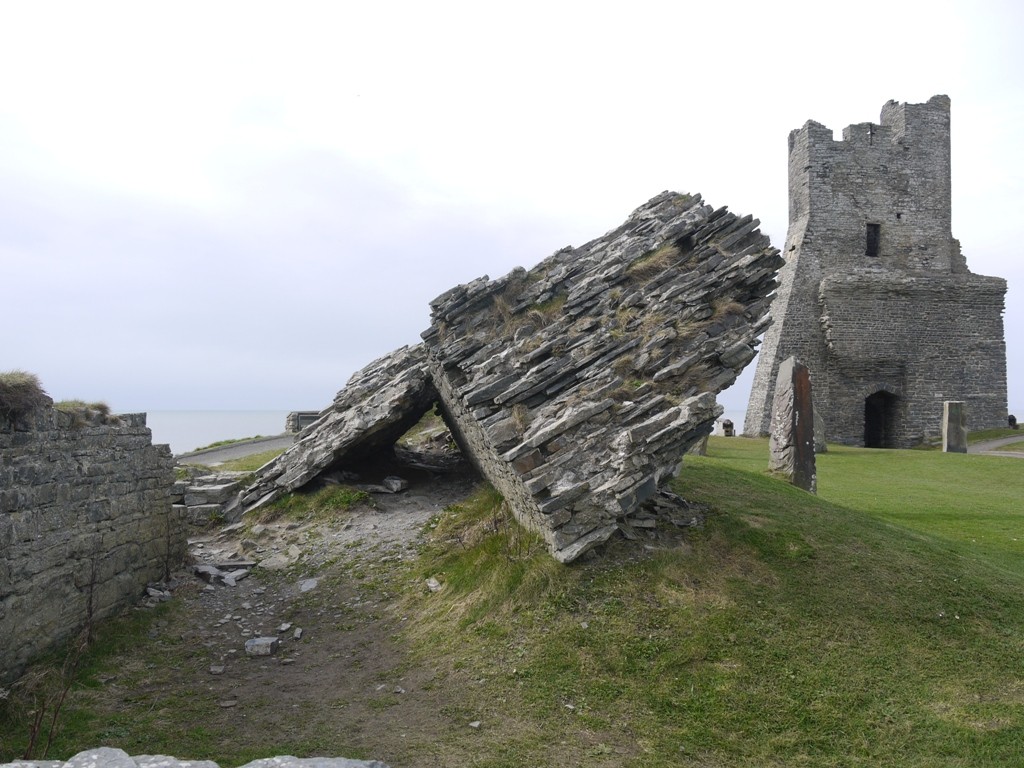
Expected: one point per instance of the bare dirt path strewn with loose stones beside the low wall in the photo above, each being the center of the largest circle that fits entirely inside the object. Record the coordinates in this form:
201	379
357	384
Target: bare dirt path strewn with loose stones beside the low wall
340	680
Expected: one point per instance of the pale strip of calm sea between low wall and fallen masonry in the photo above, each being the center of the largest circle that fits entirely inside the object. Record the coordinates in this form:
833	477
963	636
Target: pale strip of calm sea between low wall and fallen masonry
188	431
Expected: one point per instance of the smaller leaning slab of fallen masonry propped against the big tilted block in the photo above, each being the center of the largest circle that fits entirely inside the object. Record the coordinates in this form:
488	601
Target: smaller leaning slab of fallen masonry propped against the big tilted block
378	406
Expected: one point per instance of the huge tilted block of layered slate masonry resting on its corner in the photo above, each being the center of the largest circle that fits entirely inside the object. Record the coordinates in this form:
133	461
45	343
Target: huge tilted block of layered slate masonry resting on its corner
578	387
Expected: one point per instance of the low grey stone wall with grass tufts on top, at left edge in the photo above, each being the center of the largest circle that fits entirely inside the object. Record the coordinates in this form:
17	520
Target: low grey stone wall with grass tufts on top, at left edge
86	524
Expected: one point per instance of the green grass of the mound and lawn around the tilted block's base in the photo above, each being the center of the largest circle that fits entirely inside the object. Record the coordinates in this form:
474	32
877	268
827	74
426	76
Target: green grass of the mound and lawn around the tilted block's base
862	628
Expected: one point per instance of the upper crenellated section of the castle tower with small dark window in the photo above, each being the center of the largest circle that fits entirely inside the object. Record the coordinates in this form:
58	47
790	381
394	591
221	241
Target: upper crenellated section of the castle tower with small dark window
882	196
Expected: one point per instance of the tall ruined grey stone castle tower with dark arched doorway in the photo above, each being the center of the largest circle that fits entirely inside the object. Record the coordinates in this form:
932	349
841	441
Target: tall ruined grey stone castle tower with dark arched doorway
876	298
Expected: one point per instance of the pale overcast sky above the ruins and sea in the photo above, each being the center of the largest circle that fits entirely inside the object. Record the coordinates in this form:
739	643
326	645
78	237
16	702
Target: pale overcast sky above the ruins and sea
238	205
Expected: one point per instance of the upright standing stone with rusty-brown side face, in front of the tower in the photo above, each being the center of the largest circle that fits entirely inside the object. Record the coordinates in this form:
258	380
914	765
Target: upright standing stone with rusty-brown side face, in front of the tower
792	443
